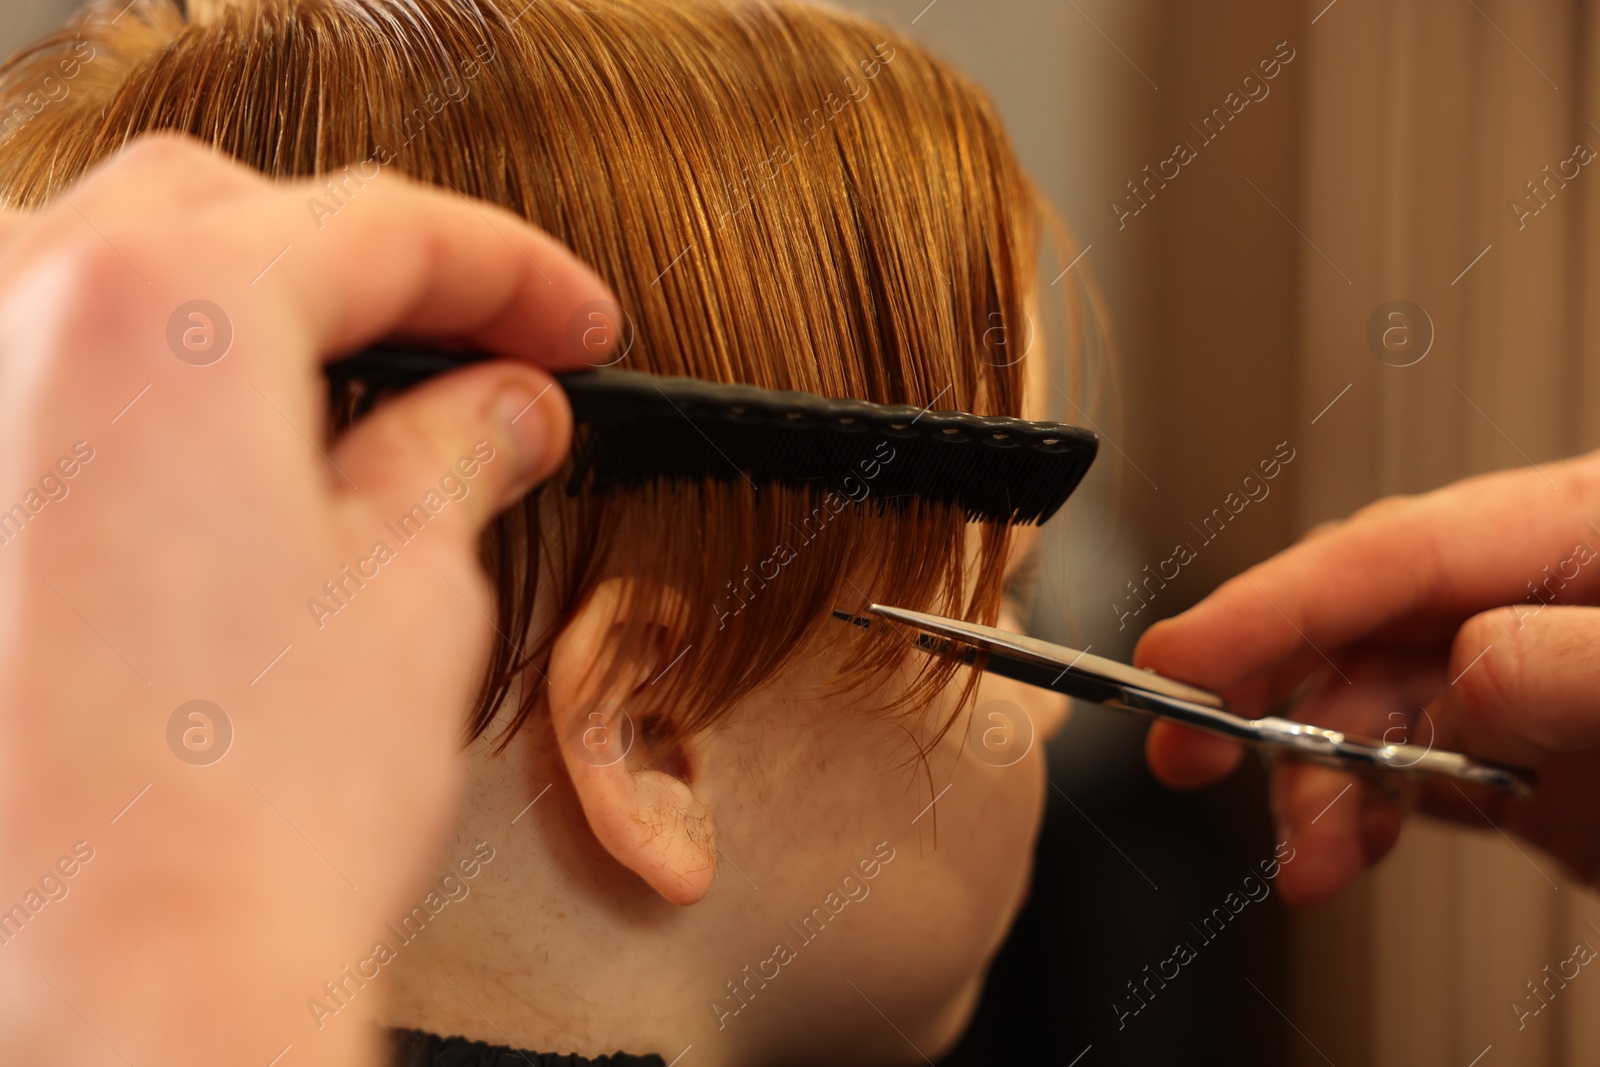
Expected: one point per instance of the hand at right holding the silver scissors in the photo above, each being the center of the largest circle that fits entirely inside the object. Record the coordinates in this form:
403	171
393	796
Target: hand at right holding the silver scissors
1398	623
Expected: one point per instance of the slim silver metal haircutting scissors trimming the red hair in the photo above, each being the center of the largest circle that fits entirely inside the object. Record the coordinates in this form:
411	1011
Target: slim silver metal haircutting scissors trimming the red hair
1118	685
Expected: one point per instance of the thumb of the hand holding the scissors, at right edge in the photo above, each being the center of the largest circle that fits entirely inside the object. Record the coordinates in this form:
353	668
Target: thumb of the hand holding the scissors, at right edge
1522	685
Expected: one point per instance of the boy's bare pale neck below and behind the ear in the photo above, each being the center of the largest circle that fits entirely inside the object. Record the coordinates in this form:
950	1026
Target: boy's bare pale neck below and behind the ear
551	946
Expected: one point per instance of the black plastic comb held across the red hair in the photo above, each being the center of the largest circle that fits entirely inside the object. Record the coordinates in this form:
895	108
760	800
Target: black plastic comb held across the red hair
644	428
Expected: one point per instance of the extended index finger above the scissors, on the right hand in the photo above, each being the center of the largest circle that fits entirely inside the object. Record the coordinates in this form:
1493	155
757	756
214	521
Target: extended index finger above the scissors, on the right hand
1452	553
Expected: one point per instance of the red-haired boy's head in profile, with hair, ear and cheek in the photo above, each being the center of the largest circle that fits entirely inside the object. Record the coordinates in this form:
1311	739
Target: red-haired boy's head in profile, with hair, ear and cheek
780	194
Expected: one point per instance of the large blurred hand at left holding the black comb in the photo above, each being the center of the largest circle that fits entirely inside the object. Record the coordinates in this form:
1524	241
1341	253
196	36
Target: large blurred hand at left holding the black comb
169	526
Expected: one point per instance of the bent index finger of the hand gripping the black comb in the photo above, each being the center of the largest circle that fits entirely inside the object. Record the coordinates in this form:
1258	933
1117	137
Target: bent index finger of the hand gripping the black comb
367	254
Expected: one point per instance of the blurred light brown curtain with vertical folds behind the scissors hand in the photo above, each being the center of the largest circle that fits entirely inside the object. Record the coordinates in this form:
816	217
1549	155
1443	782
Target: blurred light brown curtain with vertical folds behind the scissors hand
1441	153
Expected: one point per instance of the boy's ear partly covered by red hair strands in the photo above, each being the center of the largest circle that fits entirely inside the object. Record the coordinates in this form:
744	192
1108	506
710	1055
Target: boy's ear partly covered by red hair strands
641	804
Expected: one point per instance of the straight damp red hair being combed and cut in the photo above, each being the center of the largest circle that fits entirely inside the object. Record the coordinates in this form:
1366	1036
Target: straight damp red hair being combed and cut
780	194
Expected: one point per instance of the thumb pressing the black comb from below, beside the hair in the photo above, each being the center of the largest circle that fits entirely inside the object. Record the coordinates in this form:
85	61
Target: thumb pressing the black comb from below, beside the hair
457	452
